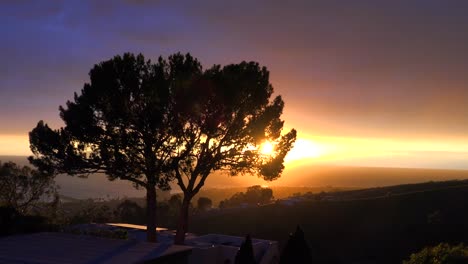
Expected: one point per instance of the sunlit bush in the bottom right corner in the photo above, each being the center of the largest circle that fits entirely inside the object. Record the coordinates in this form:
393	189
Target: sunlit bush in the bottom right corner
440	254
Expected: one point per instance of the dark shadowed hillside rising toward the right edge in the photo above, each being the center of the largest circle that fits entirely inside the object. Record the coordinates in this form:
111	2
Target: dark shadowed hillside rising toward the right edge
385	229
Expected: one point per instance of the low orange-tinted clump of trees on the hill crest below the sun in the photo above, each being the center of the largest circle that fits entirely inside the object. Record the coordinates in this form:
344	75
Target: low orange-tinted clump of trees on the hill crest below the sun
255	195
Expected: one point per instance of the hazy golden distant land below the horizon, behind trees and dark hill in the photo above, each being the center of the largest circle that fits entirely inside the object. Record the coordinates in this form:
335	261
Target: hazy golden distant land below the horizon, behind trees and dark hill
307	176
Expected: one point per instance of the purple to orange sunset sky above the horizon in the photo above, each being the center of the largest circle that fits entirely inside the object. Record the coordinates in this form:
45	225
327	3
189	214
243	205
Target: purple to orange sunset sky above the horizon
365	82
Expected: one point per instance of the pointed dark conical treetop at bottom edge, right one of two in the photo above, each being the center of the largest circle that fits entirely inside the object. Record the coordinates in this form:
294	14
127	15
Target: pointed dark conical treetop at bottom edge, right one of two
296	249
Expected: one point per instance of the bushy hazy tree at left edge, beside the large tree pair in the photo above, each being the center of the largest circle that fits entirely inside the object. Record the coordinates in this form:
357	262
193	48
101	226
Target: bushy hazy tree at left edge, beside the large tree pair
23	188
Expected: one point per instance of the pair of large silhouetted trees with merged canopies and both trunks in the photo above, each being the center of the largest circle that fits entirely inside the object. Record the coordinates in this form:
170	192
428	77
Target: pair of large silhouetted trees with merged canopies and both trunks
150	123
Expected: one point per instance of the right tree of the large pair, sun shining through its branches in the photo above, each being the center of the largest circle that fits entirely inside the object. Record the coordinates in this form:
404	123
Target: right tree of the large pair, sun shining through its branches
222	118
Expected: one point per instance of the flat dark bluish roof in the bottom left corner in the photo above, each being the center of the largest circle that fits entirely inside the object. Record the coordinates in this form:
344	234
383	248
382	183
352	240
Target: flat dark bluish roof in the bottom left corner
55	248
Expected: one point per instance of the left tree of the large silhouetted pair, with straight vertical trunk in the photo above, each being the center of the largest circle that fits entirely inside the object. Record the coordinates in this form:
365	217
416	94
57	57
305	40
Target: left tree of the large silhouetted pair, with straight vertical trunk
119	125
